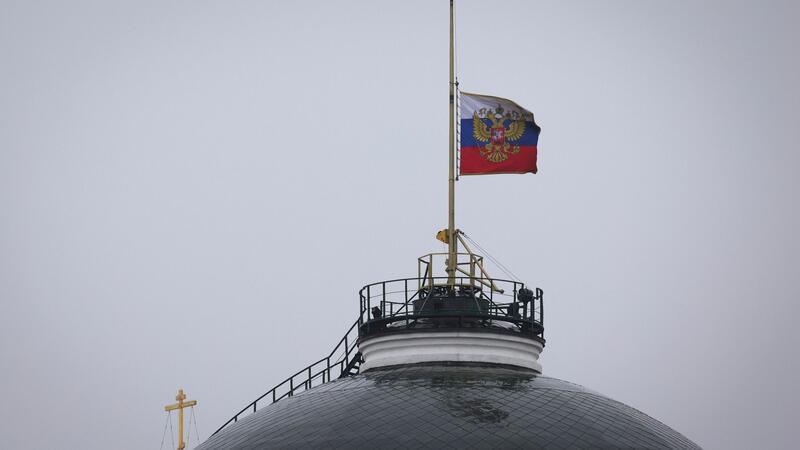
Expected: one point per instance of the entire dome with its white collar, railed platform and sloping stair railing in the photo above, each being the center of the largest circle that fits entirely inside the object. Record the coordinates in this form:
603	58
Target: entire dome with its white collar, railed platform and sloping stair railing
440	363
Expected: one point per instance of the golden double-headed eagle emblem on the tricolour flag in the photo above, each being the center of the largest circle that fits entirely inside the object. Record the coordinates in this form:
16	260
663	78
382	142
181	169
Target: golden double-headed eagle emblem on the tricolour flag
497	135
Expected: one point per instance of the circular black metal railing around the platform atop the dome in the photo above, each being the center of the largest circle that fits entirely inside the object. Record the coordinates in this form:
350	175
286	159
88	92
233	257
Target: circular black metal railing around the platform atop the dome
402	305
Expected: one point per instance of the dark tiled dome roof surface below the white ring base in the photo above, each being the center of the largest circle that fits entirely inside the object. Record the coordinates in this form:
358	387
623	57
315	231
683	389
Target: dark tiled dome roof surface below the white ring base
448	405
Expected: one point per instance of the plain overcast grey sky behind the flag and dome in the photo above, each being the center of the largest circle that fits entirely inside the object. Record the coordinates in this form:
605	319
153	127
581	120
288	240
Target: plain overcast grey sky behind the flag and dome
193	192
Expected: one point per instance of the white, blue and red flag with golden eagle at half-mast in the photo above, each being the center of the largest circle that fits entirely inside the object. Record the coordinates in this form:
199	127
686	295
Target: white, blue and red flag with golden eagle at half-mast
497	136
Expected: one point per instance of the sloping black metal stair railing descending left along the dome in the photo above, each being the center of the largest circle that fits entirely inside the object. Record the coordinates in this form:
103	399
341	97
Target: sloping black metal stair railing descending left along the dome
342	361
